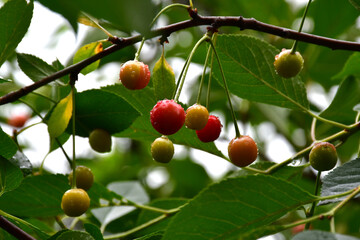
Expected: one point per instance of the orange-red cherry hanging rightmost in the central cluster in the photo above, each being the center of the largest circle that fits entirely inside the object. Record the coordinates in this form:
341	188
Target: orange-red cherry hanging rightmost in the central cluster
242	151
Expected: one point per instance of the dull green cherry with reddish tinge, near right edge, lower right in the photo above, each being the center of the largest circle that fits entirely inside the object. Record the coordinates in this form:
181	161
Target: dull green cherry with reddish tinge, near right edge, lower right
323	156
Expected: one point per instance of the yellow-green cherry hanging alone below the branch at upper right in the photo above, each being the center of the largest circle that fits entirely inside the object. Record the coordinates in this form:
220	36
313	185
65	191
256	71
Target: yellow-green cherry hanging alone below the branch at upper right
288	64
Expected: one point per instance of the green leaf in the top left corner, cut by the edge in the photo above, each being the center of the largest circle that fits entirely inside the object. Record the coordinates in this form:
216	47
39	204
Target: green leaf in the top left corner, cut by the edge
15	18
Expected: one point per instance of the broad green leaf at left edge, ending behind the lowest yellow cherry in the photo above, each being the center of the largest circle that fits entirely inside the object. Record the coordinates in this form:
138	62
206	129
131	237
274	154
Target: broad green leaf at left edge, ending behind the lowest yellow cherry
38	196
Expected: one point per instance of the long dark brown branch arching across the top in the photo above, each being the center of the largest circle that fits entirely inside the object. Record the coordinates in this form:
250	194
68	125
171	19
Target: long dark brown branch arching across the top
197	20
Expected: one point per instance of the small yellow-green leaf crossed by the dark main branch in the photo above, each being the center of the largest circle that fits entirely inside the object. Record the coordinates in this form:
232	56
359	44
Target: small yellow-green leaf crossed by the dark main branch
87	51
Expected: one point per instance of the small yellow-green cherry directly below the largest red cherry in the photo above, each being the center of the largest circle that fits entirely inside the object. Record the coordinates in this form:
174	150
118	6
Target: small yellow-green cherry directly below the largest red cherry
162	149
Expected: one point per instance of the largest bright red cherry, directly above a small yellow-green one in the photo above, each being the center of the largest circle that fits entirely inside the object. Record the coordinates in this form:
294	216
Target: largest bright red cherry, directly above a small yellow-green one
167	117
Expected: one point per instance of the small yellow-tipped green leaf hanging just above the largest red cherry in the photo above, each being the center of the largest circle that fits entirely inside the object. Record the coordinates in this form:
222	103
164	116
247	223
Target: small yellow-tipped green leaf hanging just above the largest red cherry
163	79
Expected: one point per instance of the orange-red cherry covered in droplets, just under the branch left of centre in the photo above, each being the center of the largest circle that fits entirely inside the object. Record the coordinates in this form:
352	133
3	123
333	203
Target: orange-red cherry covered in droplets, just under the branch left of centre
134	75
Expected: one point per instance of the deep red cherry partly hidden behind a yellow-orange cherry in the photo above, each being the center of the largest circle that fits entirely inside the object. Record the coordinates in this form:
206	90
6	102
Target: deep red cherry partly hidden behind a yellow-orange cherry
211	131
